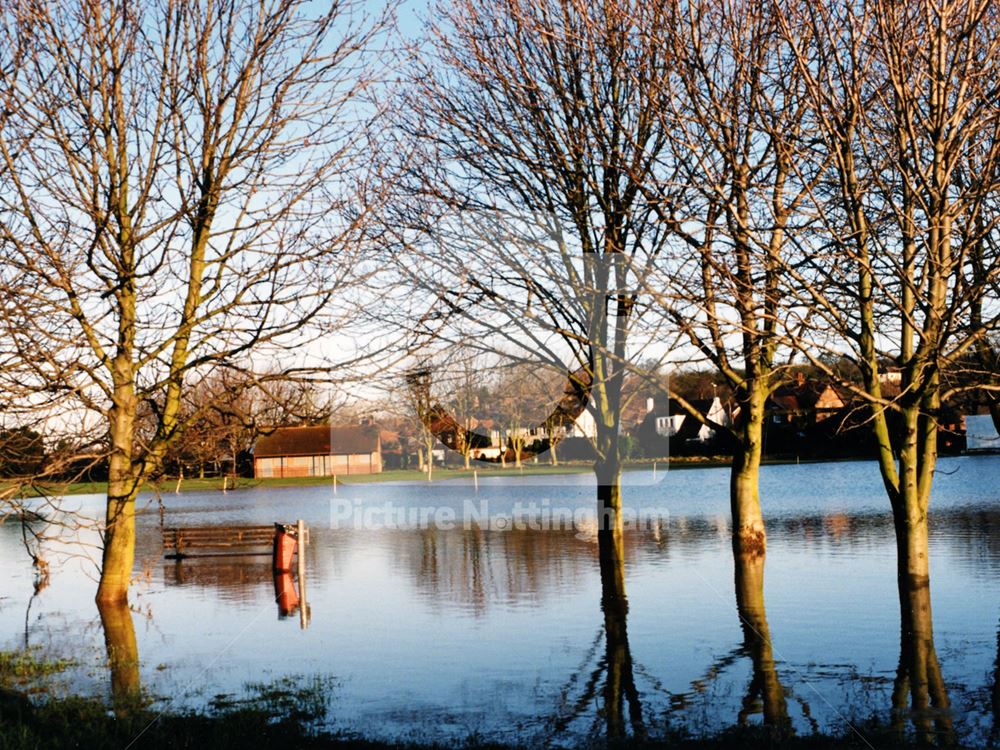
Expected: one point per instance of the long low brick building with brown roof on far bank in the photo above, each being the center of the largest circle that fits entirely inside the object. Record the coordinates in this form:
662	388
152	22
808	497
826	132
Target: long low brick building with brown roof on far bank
318	451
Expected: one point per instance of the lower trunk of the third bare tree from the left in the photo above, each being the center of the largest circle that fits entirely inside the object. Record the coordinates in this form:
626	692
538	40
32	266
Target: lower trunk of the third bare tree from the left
749	536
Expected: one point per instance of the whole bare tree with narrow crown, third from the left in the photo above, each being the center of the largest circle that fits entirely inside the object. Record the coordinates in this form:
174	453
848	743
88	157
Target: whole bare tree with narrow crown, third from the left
737	121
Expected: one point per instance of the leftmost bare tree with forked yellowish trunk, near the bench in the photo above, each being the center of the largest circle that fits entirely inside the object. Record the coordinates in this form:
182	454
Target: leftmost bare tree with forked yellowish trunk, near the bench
176	191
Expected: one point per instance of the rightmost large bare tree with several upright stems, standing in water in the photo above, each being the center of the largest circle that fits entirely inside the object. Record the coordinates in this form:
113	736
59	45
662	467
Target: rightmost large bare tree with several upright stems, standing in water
902	93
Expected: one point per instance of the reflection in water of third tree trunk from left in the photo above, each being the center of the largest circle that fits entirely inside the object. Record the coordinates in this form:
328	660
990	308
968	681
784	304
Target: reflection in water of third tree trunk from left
765	692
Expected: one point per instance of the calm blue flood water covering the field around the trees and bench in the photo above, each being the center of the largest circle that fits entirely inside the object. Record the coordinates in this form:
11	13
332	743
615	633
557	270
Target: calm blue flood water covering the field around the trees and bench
444	632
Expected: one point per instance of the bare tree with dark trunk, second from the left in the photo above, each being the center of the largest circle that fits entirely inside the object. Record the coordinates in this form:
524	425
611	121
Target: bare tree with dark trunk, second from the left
535	123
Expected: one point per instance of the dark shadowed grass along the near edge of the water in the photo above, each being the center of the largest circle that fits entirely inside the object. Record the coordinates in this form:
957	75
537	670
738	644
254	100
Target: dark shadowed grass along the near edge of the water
281	716
